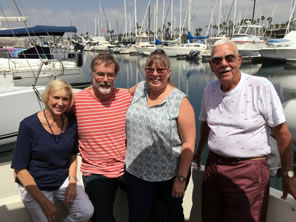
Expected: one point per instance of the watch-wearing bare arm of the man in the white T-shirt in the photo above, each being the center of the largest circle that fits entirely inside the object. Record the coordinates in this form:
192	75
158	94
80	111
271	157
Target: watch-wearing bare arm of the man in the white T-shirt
284	143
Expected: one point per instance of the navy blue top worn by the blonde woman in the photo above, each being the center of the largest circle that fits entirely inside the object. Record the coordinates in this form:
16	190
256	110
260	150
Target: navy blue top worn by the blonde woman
37	151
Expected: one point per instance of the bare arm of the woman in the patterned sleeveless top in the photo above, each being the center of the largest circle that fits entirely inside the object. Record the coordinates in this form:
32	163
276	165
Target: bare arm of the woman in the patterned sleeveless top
187	130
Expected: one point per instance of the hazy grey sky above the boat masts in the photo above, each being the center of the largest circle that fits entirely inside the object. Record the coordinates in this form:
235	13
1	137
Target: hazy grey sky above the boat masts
83	13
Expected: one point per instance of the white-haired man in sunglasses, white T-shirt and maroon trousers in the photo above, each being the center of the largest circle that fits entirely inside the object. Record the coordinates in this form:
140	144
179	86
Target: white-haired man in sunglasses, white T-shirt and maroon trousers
237	113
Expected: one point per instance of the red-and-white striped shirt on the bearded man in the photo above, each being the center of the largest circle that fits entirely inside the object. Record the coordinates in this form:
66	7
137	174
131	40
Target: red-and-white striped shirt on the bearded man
101	131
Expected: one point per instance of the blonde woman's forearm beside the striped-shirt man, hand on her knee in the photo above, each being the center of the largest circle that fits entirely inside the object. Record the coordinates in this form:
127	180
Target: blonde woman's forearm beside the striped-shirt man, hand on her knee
71	191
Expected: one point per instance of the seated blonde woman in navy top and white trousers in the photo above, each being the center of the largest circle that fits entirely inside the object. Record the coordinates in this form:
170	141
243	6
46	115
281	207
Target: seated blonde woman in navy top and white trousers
45	159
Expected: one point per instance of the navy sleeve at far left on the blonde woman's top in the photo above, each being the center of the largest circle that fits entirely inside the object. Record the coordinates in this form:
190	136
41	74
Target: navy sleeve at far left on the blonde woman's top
23	148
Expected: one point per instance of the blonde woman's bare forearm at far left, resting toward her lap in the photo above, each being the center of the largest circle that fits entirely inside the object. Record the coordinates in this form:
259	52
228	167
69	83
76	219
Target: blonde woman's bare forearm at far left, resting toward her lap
30	185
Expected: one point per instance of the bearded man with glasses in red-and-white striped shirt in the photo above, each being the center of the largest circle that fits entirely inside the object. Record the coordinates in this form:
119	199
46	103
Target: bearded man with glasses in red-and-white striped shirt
100	112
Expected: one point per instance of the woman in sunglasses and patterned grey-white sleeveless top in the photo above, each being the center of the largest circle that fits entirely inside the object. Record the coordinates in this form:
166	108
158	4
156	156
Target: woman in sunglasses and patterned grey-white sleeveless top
160	142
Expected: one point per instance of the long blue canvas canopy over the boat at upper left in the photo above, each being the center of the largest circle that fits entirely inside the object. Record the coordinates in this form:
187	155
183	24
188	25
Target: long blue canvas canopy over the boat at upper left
38	30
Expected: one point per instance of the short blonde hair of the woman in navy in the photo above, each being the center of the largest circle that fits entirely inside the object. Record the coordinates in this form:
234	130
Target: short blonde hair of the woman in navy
56	85
